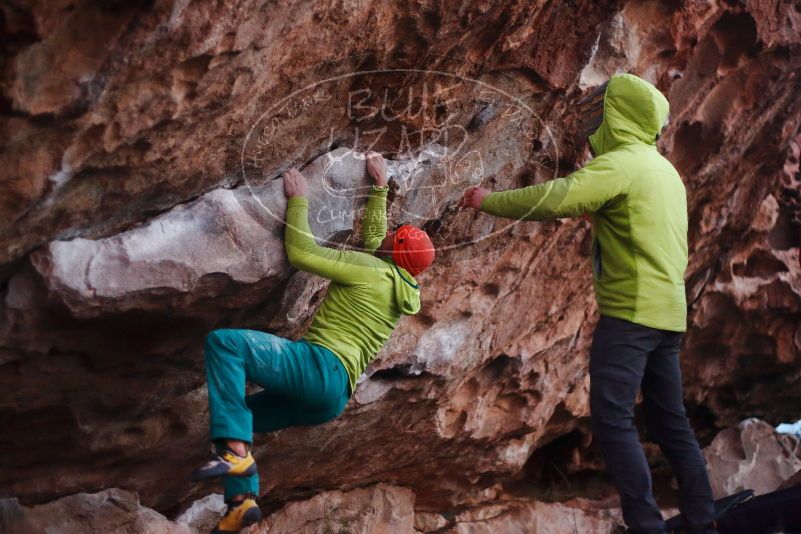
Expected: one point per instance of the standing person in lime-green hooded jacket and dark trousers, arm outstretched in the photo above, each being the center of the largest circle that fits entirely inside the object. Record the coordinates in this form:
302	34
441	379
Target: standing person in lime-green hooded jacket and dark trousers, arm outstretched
637	205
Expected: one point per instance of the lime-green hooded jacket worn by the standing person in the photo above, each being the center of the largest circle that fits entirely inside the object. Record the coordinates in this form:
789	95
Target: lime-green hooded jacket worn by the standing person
638	205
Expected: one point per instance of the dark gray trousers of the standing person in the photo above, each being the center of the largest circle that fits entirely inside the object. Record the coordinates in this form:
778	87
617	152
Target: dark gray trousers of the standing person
626	358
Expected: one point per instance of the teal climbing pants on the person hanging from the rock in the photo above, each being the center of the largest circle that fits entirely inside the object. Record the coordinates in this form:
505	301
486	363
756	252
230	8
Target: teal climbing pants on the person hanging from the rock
303	384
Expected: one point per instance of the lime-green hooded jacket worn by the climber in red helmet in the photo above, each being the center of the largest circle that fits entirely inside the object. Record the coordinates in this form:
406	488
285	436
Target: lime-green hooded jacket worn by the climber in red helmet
367	294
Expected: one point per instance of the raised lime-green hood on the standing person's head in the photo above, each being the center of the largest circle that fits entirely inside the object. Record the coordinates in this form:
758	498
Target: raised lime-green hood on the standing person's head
634	112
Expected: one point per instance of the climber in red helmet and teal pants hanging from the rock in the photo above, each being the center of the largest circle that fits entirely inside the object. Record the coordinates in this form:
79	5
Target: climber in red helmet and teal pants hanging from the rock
309	381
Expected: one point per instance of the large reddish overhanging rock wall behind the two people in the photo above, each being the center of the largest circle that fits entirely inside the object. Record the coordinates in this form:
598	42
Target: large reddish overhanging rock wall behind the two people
128	231
